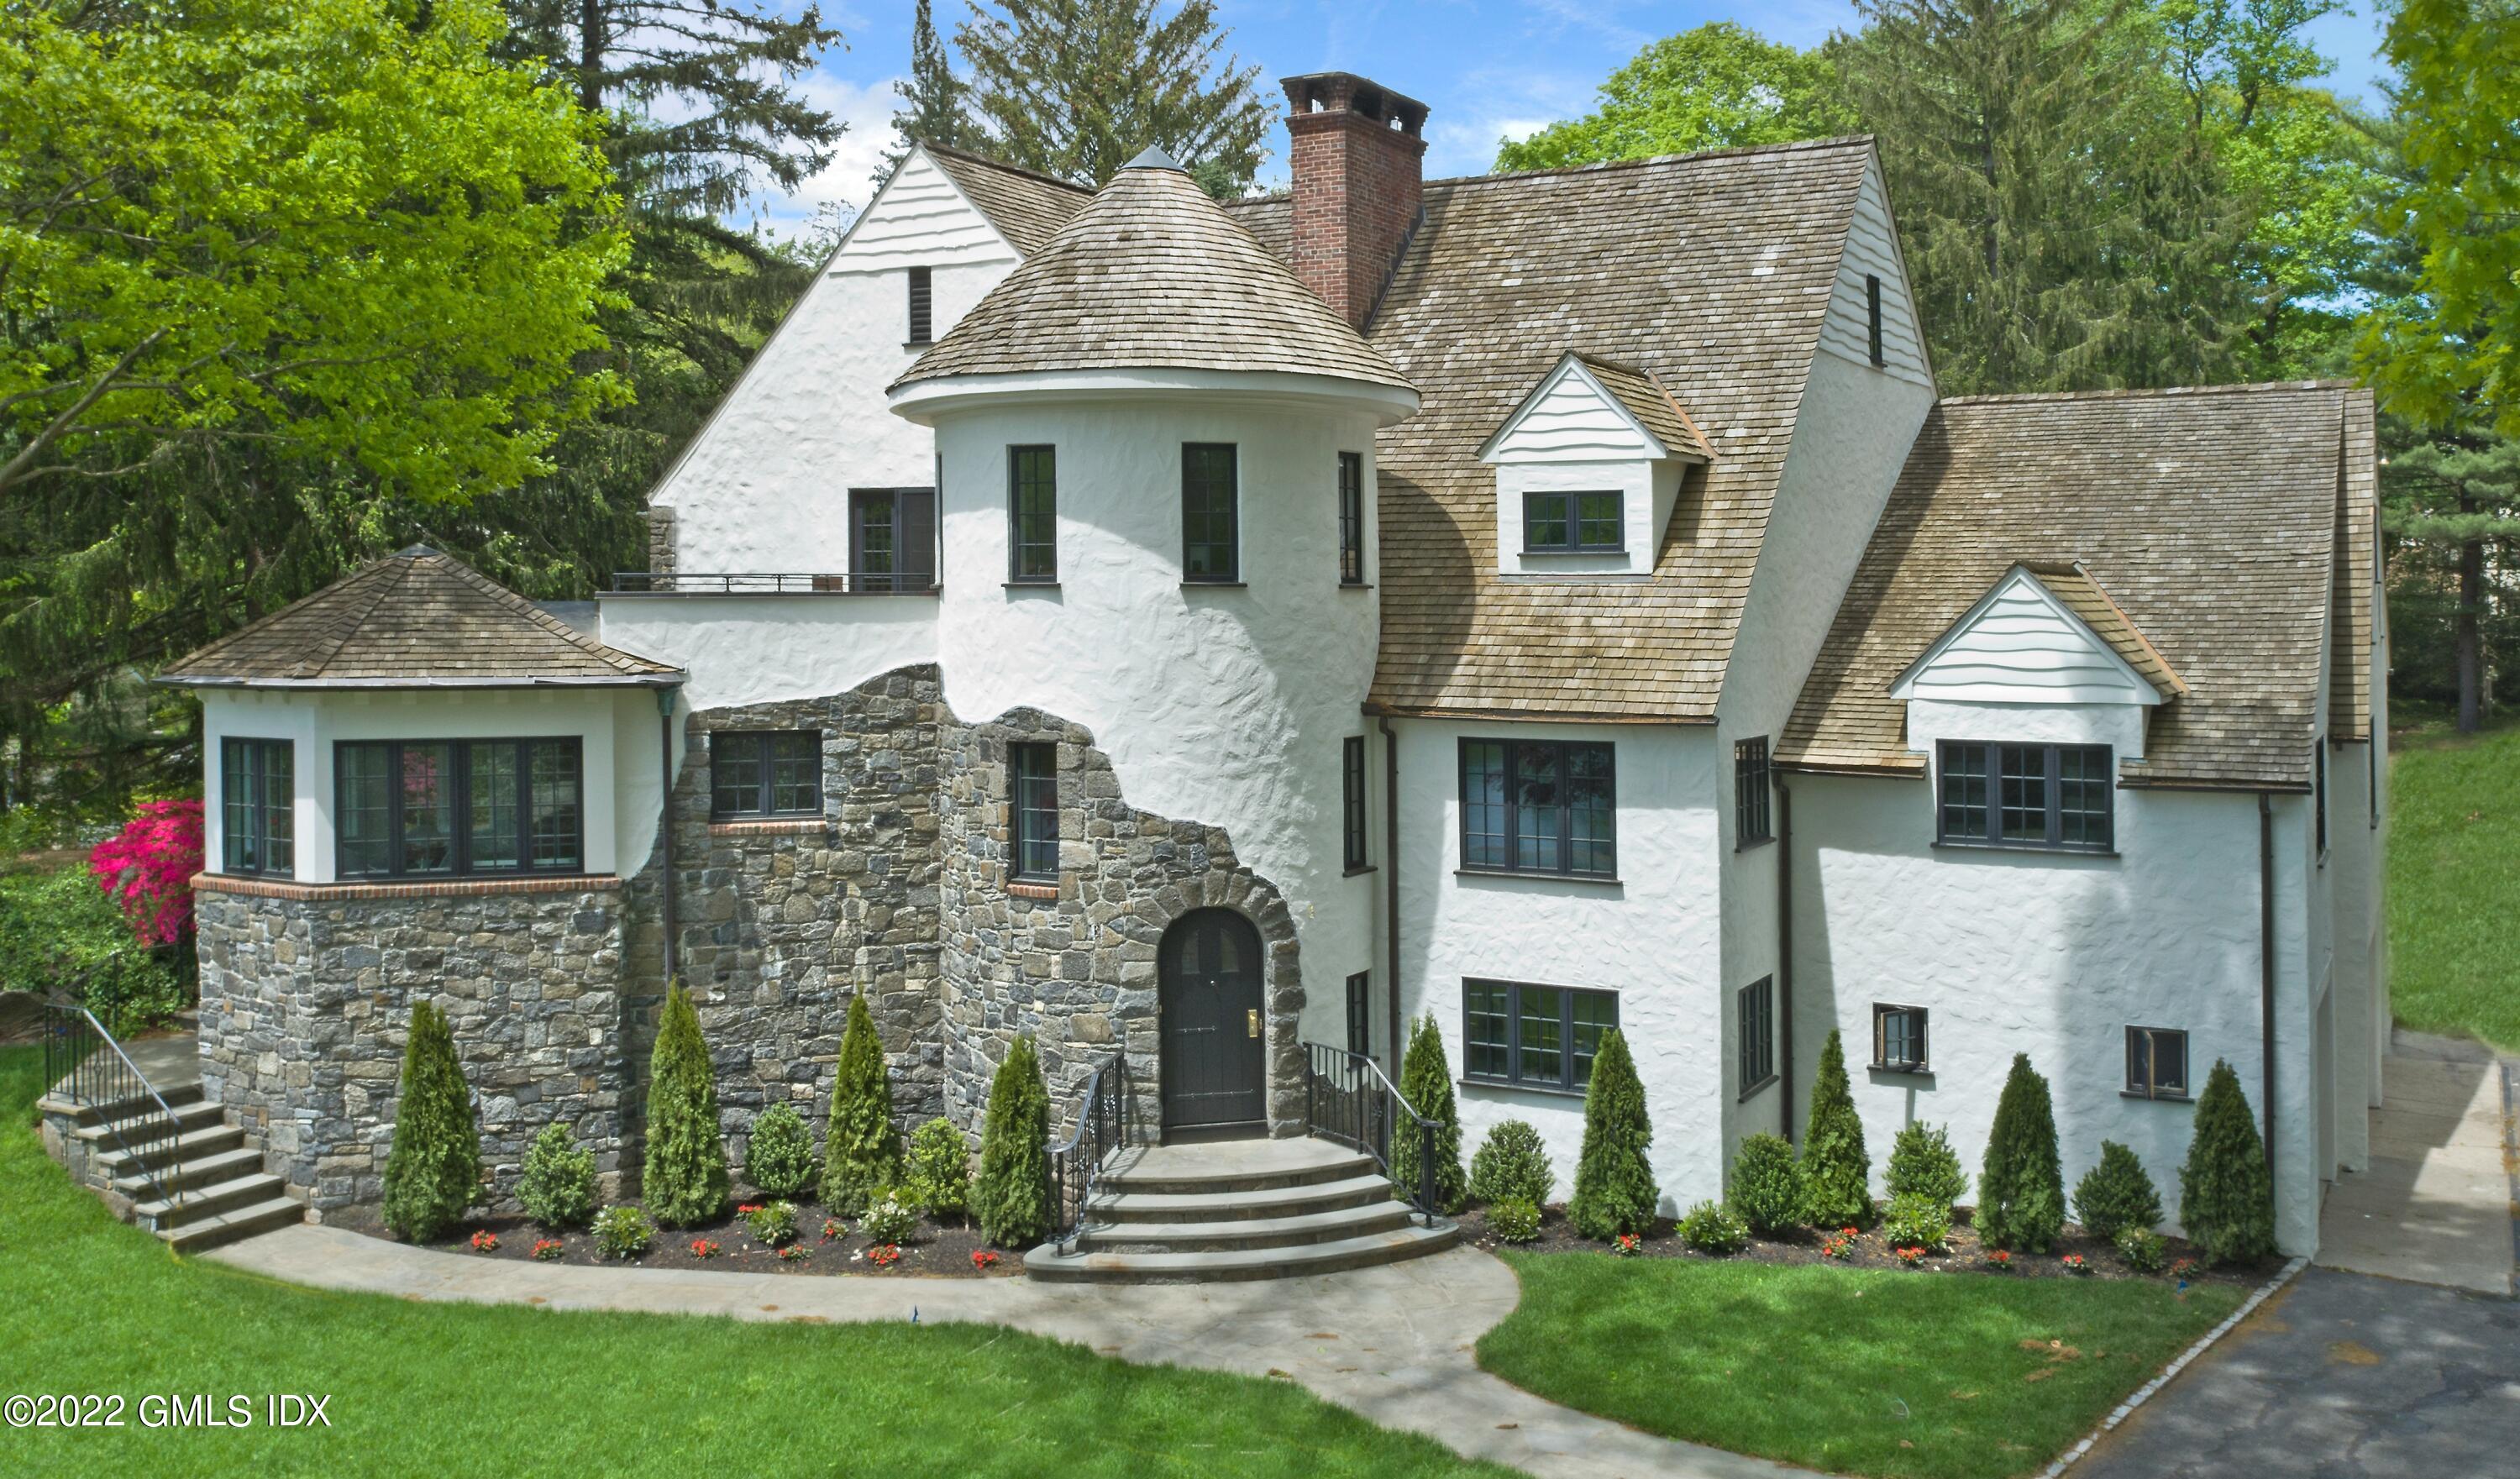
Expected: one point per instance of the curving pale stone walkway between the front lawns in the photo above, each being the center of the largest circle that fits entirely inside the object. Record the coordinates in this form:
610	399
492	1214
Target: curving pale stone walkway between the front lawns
1392	1344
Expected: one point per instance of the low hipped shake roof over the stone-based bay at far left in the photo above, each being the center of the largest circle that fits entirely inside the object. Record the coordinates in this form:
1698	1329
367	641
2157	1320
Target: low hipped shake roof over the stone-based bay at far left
412	621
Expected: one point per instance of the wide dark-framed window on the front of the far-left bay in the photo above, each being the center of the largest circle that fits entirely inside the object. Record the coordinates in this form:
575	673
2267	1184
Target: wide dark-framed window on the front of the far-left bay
460	808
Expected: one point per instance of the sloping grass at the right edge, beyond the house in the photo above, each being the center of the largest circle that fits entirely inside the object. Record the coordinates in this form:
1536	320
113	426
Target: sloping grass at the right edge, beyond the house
2456	881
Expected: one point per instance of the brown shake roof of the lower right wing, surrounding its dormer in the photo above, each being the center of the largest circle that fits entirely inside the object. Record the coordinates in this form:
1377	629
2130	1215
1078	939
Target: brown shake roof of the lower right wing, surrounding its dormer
2206	518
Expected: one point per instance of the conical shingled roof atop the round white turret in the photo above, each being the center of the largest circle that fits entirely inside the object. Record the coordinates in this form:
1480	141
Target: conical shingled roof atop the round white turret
1153	276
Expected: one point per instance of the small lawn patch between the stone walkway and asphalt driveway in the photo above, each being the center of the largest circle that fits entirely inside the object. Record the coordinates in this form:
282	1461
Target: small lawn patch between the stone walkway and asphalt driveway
1886	1372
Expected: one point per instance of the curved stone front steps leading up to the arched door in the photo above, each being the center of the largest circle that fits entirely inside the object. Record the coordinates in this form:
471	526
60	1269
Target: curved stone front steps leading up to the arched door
1239	1211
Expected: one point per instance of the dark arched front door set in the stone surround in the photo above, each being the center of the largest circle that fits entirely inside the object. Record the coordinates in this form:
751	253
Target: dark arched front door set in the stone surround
1208	986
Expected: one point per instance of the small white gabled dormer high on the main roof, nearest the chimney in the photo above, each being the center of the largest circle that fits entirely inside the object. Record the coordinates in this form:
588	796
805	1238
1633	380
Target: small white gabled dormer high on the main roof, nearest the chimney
1589	470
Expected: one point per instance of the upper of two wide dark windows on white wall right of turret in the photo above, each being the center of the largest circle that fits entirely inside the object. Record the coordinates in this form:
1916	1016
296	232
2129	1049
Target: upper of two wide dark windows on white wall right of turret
1543	808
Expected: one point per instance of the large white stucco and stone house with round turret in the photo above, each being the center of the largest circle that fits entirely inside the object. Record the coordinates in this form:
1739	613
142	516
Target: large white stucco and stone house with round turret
1226	634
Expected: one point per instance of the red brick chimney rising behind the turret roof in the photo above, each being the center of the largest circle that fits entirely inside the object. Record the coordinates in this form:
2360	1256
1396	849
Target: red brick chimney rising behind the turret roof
1357	160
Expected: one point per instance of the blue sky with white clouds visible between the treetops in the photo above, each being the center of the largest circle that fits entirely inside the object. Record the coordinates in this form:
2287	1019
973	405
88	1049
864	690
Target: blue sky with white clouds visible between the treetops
1486	69
